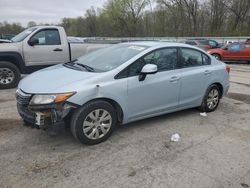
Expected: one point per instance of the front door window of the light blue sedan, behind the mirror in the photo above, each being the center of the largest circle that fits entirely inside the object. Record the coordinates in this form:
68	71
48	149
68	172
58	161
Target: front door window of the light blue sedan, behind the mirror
165	59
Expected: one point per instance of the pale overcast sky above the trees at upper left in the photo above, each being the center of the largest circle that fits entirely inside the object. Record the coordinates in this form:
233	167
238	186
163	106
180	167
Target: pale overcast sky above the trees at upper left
44	11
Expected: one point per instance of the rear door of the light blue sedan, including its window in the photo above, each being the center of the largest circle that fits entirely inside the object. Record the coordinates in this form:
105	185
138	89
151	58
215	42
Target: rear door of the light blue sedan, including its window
196	73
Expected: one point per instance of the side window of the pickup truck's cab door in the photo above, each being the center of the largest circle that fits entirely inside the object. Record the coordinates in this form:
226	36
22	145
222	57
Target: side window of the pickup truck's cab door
48	37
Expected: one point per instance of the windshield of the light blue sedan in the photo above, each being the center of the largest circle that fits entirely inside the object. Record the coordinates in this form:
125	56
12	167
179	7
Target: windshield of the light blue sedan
109	58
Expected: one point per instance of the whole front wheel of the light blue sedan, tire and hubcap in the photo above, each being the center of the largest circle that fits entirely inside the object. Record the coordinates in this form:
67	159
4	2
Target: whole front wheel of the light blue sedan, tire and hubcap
89	124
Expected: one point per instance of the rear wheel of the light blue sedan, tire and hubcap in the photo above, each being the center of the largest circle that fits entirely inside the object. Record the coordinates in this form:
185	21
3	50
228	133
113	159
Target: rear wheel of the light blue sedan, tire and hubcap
210	101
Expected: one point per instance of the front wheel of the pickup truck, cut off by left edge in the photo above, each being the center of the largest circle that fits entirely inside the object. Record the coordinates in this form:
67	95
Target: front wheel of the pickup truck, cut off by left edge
9	75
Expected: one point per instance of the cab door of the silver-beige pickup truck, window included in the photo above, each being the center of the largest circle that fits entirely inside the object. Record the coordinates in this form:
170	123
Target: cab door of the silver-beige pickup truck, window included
49	50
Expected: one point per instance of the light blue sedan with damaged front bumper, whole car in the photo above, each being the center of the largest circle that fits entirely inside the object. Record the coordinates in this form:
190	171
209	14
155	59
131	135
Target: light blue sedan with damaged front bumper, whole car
121	84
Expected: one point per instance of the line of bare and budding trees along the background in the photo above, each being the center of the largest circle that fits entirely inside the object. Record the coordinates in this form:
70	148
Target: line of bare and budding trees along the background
158	18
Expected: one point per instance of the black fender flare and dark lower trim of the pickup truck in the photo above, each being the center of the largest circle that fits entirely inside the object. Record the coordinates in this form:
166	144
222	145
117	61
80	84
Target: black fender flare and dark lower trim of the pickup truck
16	59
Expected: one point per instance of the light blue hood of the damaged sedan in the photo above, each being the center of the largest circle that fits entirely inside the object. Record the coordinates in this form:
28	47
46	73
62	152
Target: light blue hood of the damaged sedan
54	80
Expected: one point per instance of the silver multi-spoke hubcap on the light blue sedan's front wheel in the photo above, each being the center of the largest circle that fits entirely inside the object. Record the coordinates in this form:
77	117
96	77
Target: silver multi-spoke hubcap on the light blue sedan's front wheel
97	124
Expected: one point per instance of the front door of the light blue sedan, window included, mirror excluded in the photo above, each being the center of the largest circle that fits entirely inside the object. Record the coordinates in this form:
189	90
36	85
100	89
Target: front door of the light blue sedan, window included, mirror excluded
158	92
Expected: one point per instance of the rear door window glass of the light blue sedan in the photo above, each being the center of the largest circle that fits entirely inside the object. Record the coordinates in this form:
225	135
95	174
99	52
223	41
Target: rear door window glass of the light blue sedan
191	58
